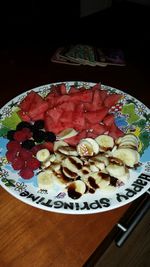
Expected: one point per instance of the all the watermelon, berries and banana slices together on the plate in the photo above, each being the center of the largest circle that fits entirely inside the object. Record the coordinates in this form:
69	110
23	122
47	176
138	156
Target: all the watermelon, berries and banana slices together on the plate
71	138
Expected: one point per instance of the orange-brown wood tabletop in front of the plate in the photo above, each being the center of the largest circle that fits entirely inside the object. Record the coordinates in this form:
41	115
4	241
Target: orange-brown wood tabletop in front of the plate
33	237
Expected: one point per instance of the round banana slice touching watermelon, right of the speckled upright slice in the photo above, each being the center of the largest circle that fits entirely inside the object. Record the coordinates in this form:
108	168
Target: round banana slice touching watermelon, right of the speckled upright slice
105	142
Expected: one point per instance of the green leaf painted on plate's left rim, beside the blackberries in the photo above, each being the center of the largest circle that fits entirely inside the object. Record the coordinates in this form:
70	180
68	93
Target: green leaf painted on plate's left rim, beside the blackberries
11	121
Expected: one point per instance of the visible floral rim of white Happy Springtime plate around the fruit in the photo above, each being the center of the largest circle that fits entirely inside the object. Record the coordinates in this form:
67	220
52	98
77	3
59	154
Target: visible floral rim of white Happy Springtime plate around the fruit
130	116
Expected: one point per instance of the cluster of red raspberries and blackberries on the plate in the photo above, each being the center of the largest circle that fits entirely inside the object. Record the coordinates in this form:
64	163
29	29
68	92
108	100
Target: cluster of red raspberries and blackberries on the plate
23	145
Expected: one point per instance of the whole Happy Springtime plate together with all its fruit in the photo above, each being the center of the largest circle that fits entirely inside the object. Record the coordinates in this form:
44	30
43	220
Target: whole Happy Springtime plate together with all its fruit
75	147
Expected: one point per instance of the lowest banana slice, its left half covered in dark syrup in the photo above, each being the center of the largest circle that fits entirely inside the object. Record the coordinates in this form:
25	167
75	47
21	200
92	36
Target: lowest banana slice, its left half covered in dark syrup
76	189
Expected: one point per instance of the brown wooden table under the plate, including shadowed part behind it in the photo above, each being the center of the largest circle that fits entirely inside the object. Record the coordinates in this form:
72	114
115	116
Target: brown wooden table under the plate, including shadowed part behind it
34	237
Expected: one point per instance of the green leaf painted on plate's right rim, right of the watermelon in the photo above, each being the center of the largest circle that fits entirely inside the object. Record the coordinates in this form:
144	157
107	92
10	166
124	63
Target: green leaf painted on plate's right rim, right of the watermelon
129	110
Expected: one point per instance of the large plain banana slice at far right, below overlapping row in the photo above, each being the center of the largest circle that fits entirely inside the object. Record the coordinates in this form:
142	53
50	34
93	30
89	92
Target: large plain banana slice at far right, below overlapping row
130	157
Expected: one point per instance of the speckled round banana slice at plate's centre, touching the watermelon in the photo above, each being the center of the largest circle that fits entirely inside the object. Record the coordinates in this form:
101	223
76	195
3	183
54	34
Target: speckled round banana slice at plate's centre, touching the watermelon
85	148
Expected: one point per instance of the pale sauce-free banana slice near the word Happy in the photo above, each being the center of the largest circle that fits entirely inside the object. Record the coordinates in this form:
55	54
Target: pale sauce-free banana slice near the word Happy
116	170
